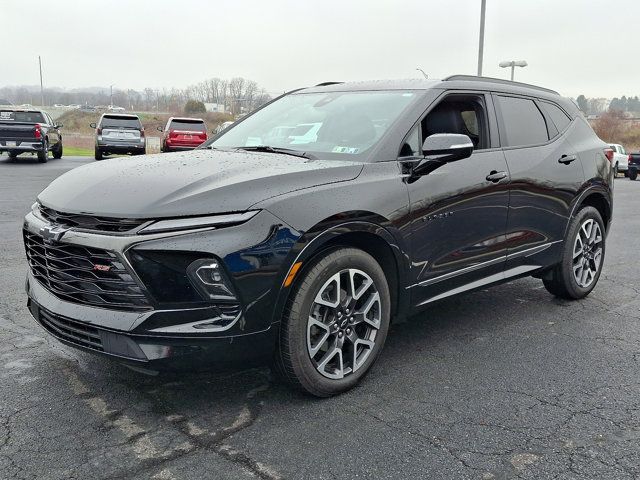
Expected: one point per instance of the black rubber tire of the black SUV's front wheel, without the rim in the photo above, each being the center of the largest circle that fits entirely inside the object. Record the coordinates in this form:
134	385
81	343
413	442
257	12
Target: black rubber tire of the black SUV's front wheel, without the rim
293	359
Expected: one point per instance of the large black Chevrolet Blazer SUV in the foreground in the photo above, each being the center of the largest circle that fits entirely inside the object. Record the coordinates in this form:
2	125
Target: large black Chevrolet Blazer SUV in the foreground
262	246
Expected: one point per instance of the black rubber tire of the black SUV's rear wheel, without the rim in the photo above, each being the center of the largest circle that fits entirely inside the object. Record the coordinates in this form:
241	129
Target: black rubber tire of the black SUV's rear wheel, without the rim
561	281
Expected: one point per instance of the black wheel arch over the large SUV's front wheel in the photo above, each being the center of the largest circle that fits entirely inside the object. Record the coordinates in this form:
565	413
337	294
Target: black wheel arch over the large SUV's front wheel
366	233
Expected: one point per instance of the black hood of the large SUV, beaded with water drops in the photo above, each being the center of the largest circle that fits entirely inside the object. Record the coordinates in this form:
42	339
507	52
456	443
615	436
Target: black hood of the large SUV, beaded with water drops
197	182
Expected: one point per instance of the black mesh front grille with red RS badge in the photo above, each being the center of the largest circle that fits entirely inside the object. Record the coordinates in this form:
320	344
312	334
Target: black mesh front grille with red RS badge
84	275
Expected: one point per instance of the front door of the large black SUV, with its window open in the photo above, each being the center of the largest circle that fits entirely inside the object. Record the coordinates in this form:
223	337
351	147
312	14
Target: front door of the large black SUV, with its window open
458	211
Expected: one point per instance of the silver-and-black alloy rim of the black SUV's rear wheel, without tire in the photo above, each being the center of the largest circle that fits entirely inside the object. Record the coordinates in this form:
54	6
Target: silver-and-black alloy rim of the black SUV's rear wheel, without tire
587	253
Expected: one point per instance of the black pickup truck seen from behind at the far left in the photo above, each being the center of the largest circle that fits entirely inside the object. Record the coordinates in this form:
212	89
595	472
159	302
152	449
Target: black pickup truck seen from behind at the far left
29	131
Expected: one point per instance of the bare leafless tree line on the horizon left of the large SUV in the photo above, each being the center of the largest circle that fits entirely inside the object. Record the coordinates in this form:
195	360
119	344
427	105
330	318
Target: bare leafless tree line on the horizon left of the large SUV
235	95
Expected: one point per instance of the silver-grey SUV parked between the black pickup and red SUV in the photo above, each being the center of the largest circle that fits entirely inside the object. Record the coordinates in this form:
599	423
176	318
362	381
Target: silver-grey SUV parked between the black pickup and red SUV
119	133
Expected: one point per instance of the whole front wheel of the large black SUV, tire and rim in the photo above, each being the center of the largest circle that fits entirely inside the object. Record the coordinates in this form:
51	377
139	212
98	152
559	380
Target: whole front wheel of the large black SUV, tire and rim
336	323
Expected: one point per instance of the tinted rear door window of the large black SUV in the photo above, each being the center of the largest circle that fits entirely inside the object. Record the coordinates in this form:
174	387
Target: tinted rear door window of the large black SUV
522	122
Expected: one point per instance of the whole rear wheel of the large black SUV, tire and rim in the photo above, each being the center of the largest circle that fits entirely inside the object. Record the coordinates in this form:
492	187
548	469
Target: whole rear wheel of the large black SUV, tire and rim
582	257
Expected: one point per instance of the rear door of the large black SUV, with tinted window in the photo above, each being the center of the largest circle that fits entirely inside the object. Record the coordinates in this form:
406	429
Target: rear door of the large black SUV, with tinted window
546	174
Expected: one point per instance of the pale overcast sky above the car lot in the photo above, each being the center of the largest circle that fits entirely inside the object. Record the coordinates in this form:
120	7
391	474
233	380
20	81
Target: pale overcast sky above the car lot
573	46
